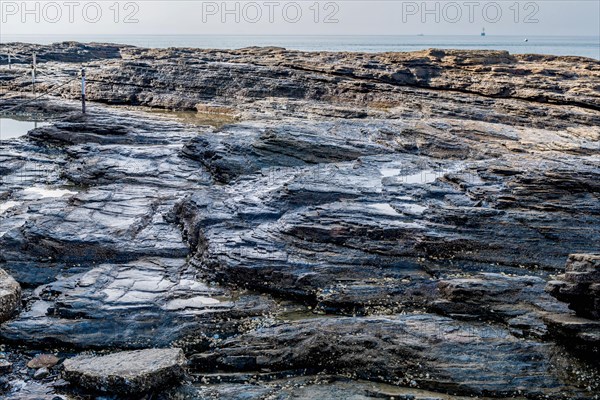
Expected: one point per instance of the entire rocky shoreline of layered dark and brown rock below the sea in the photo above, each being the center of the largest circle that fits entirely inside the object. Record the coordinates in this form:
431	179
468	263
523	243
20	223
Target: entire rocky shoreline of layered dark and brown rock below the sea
306	225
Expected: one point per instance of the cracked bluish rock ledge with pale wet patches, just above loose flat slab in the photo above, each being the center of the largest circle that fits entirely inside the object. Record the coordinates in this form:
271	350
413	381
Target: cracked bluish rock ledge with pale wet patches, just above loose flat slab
149	302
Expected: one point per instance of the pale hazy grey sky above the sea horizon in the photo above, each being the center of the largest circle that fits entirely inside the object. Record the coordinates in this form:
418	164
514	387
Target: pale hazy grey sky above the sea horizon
342	17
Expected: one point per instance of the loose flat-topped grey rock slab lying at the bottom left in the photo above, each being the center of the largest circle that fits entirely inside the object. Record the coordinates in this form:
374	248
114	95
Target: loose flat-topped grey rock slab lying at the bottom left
128	372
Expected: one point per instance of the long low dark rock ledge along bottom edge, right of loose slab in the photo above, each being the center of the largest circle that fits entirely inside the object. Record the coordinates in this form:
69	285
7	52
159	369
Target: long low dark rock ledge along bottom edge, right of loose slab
423	350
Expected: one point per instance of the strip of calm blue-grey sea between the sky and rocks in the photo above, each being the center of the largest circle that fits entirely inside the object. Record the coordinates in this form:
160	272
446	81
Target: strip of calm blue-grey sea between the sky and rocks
584	46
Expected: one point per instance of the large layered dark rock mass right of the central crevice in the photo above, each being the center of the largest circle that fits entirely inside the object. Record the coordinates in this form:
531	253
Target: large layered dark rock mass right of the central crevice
306	229
